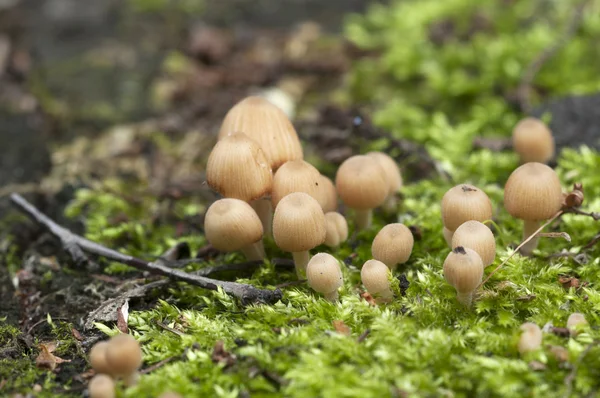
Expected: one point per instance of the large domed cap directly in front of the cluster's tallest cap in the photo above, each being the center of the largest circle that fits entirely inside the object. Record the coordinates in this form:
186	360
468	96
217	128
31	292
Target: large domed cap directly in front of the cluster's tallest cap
238	168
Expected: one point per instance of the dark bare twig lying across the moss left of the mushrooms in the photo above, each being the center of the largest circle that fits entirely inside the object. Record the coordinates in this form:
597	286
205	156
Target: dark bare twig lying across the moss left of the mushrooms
75	245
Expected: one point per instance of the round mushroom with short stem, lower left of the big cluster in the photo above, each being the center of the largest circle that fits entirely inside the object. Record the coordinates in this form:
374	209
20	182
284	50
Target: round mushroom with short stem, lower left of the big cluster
231	224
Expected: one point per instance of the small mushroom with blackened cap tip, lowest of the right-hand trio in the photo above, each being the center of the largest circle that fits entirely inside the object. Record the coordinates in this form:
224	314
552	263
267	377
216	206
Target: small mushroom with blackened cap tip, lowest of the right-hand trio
463	269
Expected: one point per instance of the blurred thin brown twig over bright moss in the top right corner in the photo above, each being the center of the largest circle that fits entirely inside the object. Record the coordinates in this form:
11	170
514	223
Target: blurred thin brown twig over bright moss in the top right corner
524	90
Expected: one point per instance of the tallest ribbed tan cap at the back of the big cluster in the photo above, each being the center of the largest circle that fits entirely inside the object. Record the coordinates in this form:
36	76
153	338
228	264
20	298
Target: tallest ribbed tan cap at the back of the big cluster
268	125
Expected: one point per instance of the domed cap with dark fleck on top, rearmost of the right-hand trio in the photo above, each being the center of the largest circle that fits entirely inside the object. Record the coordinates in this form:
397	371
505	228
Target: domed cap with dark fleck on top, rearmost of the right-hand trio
465	202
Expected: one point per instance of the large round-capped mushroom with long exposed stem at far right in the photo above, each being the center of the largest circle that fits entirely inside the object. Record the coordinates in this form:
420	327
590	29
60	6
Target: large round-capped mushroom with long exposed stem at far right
532	194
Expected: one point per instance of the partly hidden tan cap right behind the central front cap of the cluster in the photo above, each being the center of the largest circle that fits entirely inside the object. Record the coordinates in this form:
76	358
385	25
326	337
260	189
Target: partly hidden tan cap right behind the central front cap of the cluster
296	176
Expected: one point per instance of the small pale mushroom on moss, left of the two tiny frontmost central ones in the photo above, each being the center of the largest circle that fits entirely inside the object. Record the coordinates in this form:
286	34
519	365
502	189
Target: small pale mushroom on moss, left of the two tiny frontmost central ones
325	275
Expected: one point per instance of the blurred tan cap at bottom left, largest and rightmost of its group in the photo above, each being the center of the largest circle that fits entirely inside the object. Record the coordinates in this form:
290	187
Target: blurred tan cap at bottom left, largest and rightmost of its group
124	354
